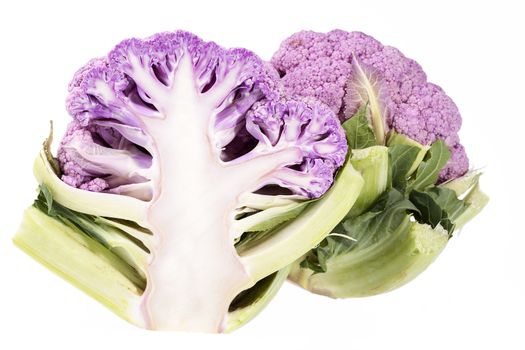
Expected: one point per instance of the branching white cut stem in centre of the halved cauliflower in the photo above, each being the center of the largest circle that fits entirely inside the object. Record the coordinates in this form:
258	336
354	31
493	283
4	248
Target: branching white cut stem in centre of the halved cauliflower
195	272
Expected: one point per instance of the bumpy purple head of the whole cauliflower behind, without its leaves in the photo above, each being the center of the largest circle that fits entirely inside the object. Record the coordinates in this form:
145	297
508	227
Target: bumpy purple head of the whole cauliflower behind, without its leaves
327	67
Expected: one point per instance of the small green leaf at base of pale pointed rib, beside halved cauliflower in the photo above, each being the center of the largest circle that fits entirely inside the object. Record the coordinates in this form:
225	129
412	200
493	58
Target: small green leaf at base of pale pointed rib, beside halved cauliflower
358	133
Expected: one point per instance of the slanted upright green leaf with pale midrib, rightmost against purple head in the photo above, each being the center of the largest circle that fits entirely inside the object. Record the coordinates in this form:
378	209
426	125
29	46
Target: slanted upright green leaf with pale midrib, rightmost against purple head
428	171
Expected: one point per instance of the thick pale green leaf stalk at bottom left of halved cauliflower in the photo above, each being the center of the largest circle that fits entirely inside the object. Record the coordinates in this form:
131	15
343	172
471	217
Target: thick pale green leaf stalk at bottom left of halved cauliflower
81	261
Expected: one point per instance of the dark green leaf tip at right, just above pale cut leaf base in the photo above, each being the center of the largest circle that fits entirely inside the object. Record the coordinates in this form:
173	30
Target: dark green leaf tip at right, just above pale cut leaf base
429	212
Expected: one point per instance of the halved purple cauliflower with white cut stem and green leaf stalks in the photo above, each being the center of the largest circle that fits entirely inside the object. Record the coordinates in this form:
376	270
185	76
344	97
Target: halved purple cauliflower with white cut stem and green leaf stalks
178	180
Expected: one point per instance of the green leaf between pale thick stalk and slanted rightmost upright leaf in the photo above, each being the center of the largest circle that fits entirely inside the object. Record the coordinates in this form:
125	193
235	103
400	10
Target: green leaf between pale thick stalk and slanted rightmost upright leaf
402	157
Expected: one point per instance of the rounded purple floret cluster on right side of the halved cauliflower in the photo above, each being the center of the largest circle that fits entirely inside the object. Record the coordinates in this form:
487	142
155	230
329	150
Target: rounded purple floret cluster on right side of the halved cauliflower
310	126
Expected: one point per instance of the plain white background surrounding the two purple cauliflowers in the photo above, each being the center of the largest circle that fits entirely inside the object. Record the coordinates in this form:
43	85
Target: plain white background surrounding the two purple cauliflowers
471	297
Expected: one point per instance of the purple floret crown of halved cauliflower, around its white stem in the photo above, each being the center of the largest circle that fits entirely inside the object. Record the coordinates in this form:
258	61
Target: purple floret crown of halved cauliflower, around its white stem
112	100
